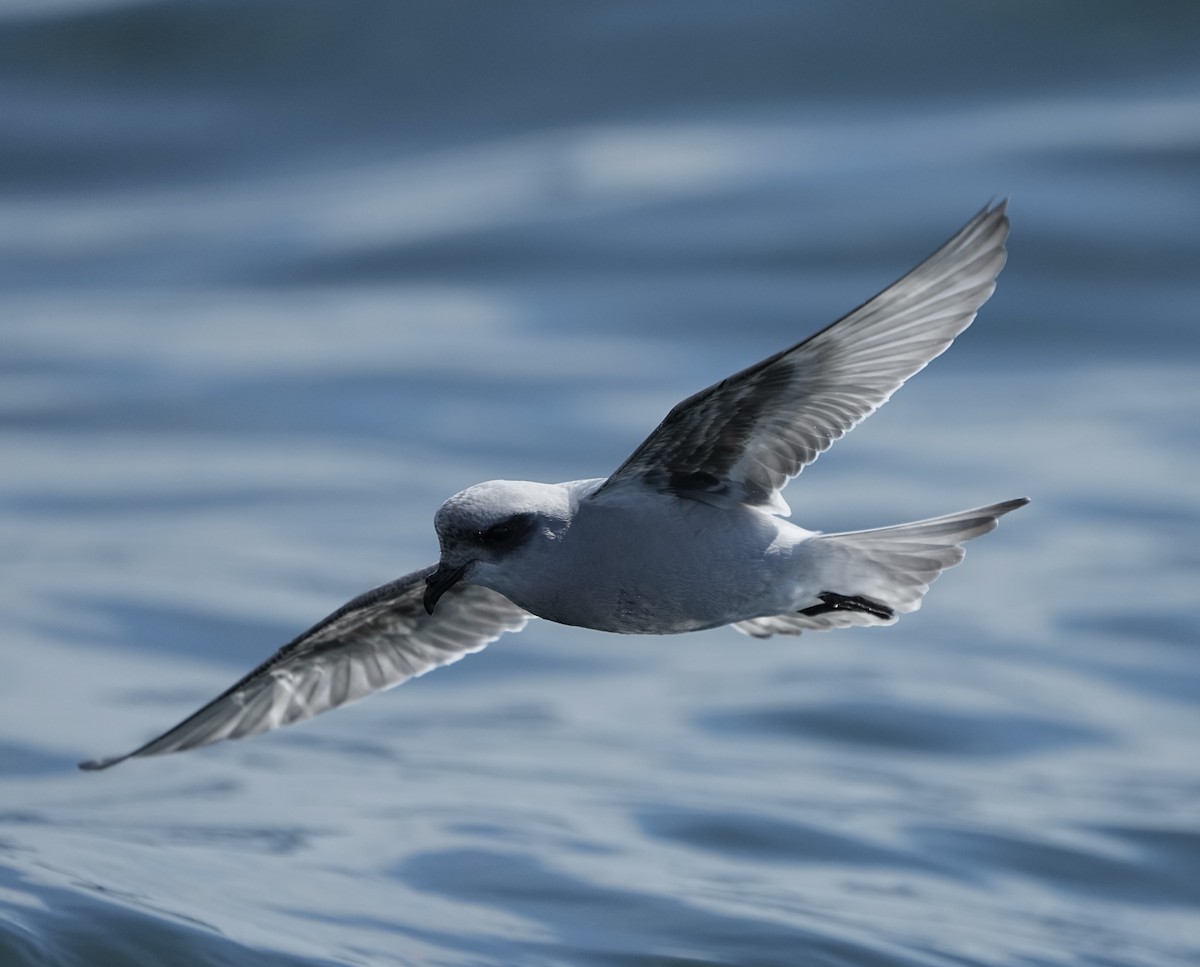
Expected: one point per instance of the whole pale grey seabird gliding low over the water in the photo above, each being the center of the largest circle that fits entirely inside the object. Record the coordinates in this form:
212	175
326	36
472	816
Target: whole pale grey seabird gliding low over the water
689	533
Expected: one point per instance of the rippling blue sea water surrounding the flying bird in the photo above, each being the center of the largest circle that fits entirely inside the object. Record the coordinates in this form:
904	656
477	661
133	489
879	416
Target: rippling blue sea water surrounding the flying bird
279	278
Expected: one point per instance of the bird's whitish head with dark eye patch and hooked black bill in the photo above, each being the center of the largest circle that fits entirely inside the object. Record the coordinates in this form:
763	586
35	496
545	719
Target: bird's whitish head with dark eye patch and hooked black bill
485	530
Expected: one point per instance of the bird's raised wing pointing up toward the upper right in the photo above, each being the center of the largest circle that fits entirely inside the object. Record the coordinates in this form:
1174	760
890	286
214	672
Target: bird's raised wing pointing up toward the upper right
741	441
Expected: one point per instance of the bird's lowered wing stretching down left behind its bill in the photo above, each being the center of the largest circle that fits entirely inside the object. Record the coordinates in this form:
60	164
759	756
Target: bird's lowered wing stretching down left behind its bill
380	640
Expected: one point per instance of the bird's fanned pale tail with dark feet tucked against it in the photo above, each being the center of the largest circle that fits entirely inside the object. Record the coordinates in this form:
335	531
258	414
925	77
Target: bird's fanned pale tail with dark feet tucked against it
869	578
